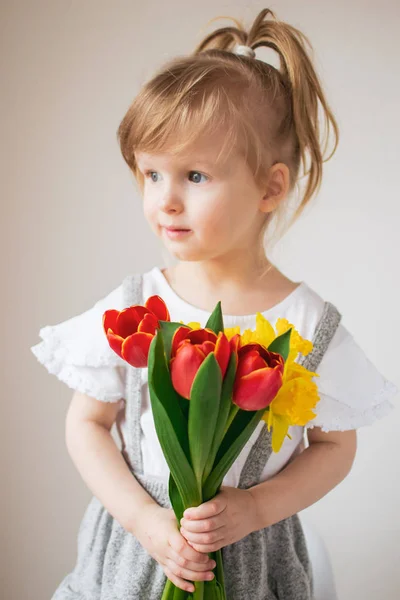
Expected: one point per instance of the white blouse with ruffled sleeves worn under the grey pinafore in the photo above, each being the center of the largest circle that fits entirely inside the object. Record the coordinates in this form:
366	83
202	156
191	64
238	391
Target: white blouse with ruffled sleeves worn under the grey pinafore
352	391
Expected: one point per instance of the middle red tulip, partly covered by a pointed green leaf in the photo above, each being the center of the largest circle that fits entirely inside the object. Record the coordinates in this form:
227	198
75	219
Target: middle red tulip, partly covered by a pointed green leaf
189	349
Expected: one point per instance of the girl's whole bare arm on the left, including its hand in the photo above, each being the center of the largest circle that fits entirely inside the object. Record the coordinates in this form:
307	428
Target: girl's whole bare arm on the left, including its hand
104	470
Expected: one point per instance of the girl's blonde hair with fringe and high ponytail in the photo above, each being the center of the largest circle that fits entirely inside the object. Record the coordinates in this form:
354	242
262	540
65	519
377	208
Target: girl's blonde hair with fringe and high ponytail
268	115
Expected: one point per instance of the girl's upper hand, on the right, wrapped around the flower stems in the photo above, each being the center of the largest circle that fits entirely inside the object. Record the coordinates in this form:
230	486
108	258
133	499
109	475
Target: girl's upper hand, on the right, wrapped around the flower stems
225	519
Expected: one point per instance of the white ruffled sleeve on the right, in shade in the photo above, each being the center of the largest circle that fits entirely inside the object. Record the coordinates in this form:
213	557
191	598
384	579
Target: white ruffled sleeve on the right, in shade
352	391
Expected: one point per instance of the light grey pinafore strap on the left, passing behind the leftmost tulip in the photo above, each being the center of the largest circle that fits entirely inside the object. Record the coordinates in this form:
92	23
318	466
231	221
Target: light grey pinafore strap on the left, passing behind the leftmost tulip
132	287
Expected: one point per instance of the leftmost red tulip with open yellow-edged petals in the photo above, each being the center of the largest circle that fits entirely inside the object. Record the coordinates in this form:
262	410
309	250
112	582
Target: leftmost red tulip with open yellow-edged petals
131	330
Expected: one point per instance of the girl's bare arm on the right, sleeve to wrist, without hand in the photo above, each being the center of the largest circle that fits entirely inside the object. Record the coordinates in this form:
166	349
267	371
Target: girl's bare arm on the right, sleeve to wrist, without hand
306	479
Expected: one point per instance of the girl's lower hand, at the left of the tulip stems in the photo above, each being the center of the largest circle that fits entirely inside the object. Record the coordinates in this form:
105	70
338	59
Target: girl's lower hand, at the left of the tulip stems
158	532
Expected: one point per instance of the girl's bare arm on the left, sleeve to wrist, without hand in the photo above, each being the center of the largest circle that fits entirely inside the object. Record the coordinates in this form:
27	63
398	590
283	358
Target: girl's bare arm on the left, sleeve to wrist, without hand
99	460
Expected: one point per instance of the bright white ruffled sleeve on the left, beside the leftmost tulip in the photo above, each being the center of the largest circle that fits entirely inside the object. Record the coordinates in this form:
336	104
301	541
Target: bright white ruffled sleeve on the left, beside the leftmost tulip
78	353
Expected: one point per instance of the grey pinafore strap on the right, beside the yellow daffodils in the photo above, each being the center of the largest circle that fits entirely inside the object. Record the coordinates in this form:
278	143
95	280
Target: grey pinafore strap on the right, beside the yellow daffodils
262	449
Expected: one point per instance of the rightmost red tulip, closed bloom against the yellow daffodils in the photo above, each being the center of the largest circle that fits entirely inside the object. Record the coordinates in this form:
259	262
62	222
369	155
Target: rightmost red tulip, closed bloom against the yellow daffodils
258	377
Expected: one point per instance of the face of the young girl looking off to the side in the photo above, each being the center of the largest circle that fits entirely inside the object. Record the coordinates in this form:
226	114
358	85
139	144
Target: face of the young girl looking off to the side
219	204
